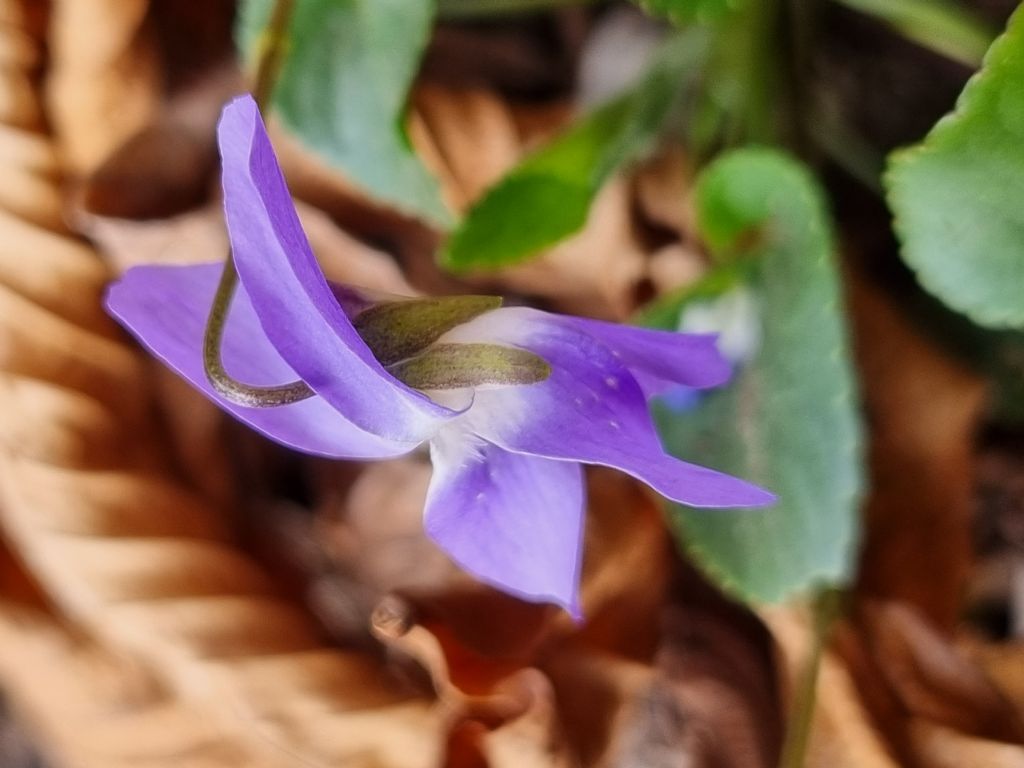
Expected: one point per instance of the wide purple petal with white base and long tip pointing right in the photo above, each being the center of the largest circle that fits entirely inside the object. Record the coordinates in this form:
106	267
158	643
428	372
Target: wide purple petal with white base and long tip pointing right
589	410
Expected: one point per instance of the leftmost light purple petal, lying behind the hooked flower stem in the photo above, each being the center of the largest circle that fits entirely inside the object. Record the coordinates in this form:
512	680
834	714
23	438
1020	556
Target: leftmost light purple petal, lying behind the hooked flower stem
166	309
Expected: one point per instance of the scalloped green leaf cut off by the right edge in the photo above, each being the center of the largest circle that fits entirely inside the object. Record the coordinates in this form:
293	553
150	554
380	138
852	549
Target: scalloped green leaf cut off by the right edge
957	197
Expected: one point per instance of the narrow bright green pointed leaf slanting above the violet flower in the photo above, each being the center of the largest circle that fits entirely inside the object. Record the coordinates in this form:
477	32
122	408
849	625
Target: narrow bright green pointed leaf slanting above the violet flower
548	196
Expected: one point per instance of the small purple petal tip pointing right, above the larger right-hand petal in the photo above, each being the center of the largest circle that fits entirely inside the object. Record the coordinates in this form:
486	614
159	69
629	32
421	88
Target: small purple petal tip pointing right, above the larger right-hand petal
660	359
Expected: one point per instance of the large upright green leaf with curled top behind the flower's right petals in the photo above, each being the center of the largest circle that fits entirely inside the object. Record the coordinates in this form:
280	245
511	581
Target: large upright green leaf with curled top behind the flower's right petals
788	420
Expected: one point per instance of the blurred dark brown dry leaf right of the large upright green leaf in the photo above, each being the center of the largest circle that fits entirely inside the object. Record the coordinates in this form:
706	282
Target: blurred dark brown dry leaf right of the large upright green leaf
923	409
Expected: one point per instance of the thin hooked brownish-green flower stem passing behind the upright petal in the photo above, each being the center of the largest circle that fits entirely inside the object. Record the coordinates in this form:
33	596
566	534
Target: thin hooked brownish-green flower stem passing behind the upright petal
272	51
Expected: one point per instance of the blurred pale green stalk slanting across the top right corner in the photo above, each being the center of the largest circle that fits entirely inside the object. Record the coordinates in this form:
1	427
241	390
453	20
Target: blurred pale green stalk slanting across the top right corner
941	26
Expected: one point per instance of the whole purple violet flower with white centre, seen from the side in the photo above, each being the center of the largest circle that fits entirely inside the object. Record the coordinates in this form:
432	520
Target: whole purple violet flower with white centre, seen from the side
506	500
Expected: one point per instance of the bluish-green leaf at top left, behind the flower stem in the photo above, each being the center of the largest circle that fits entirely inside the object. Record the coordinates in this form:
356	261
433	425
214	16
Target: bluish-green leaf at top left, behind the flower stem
343	91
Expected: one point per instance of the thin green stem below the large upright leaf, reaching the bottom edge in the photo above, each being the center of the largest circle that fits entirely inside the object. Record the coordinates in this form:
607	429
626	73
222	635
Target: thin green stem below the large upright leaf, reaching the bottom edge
827	607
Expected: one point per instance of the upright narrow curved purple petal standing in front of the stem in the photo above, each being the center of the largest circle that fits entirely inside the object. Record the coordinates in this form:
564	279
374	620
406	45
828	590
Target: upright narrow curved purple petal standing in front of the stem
295	306
